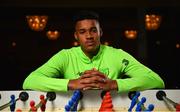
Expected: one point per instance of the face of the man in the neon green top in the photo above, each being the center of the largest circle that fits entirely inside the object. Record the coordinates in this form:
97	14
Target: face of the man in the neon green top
88	33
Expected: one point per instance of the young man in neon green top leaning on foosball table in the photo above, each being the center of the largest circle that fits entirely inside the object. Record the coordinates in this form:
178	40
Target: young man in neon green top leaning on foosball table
92	65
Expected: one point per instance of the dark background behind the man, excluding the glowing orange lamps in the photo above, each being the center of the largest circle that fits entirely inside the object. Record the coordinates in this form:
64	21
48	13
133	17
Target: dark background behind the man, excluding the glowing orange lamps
156	49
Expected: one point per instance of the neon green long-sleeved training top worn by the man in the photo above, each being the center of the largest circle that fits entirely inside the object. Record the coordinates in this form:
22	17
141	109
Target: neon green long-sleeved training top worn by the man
67	64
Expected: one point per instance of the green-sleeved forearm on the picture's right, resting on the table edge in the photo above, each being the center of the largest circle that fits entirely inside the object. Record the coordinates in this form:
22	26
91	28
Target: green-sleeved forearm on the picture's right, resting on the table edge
145	82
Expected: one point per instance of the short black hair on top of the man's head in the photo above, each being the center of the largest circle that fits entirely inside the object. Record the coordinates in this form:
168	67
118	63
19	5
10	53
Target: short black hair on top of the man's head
85	14
